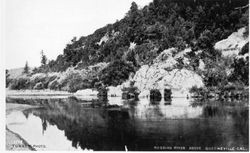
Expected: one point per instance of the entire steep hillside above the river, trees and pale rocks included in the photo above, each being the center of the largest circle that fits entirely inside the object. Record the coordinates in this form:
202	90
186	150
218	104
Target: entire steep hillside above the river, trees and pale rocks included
163	44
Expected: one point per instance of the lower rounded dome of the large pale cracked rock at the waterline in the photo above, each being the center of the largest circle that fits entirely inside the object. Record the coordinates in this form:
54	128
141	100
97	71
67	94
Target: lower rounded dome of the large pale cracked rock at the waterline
178	80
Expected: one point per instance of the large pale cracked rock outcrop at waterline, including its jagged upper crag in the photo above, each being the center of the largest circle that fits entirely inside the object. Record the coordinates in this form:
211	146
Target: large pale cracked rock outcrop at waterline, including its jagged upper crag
164	73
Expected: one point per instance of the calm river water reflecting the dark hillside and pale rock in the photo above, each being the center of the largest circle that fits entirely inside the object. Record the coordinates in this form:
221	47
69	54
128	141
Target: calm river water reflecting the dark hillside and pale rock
179	124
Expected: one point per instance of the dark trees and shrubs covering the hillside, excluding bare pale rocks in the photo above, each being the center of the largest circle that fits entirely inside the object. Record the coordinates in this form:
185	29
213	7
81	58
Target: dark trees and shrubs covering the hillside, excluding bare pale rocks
143	34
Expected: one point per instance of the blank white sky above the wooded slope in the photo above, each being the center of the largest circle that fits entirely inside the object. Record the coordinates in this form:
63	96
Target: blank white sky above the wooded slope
31	26
